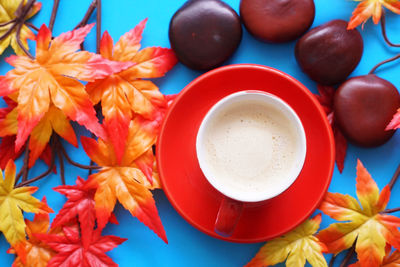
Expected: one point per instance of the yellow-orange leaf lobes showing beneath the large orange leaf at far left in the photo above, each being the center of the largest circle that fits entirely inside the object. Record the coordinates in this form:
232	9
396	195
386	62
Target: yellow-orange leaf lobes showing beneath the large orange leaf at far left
53	120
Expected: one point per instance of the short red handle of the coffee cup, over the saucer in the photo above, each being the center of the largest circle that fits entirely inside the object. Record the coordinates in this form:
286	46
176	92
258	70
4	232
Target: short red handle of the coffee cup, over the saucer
228	216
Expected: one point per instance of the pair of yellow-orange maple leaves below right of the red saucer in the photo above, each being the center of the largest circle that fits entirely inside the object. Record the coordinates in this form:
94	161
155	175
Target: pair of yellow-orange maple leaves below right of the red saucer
363	223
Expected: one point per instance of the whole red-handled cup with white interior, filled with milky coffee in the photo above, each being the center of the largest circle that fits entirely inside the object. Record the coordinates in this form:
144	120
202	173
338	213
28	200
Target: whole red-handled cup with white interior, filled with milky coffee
223	159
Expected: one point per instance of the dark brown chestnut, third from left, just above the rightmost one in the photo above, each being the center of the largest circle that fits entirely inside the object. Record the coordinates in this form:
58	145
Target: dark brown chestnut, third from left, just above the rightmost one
329	53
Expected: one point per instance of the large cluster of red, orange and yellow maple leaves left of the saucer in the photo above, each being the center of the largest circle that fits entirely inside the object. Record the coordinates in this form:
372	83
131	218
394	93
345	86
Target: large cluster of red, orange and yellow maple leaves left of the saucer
44	95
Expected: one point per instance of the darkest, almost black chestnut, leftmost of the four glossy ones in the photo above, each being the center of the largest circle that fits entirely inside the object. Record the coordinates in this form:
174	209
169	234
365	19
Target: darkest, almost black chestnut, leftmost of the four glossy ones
204	33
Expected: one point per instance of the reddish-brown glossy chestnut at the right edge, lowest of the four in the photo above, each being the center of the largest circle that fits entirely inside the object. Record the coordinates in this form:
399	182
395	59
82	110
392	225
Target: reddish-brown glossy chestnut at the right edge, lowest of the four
363	107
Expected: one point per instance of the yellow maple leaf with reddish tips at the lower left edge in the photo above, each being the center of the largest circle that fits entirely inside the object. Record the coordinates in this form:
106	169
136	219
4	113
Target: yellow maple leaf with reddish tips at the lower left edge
12	202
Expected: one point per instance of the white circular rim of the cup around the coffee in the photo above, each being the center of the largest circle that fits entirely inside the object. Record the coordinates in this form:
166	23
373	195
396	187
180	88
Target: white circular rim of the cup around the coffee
295	170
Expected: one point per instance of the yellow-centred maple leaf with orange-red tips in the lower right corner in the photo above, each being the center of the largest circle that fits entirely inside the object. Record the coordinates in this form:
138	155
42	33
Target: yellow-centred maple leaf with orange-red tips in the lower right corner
364	223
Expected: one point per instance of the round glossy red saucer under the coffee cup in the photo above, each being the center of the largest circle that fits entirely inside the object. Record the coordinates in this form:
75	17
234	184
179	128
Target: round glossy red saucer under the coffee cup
189	191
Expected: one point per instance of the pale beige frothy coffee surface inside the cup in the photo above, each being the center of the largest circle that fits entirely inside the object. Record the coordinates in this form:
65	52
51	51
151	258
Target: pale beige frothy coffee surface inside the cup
251	146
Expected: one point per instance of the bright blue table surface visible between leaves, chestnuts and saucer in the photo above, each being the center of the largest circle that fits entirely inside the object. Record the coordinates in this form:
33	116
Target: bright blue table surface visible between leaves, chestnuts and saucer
188	246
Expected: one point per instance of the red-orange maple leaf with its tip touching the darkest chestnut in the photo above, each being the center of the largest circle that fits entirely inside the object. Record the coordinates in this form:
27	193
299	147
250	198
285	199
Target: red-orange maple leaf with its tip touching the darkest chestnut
124	94
